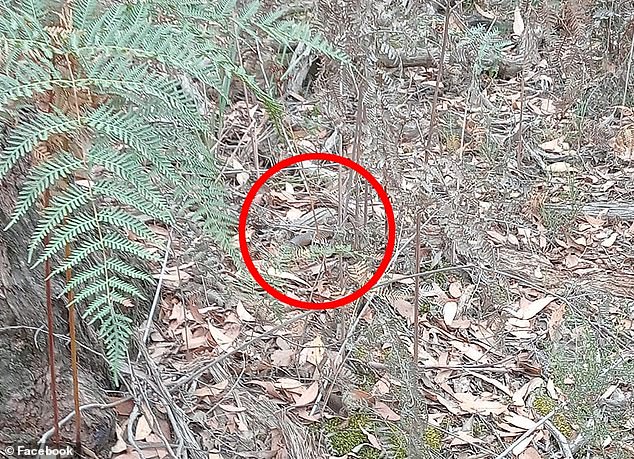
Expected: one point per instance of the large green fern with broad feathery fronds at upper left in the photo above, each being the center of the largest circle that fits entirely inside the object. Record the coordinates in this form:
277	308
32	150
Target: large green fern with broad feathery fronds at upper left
109	109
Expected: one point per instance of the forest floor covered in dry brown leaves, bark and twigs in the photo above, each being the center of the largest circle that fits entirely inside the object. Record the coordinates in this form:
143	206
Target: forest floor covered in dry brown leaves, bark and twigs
525	284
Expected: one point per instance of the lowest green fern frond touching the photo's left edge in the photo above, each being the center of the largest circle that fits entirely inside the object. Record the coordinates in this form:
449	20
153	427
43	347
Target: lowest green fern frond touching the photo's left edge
23	139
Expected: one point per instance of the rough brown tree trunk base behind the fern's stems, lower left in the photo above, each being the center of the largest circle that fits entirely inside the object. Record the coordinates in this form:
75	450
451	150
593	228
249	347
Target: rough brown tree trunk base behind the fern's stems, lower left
25	398
